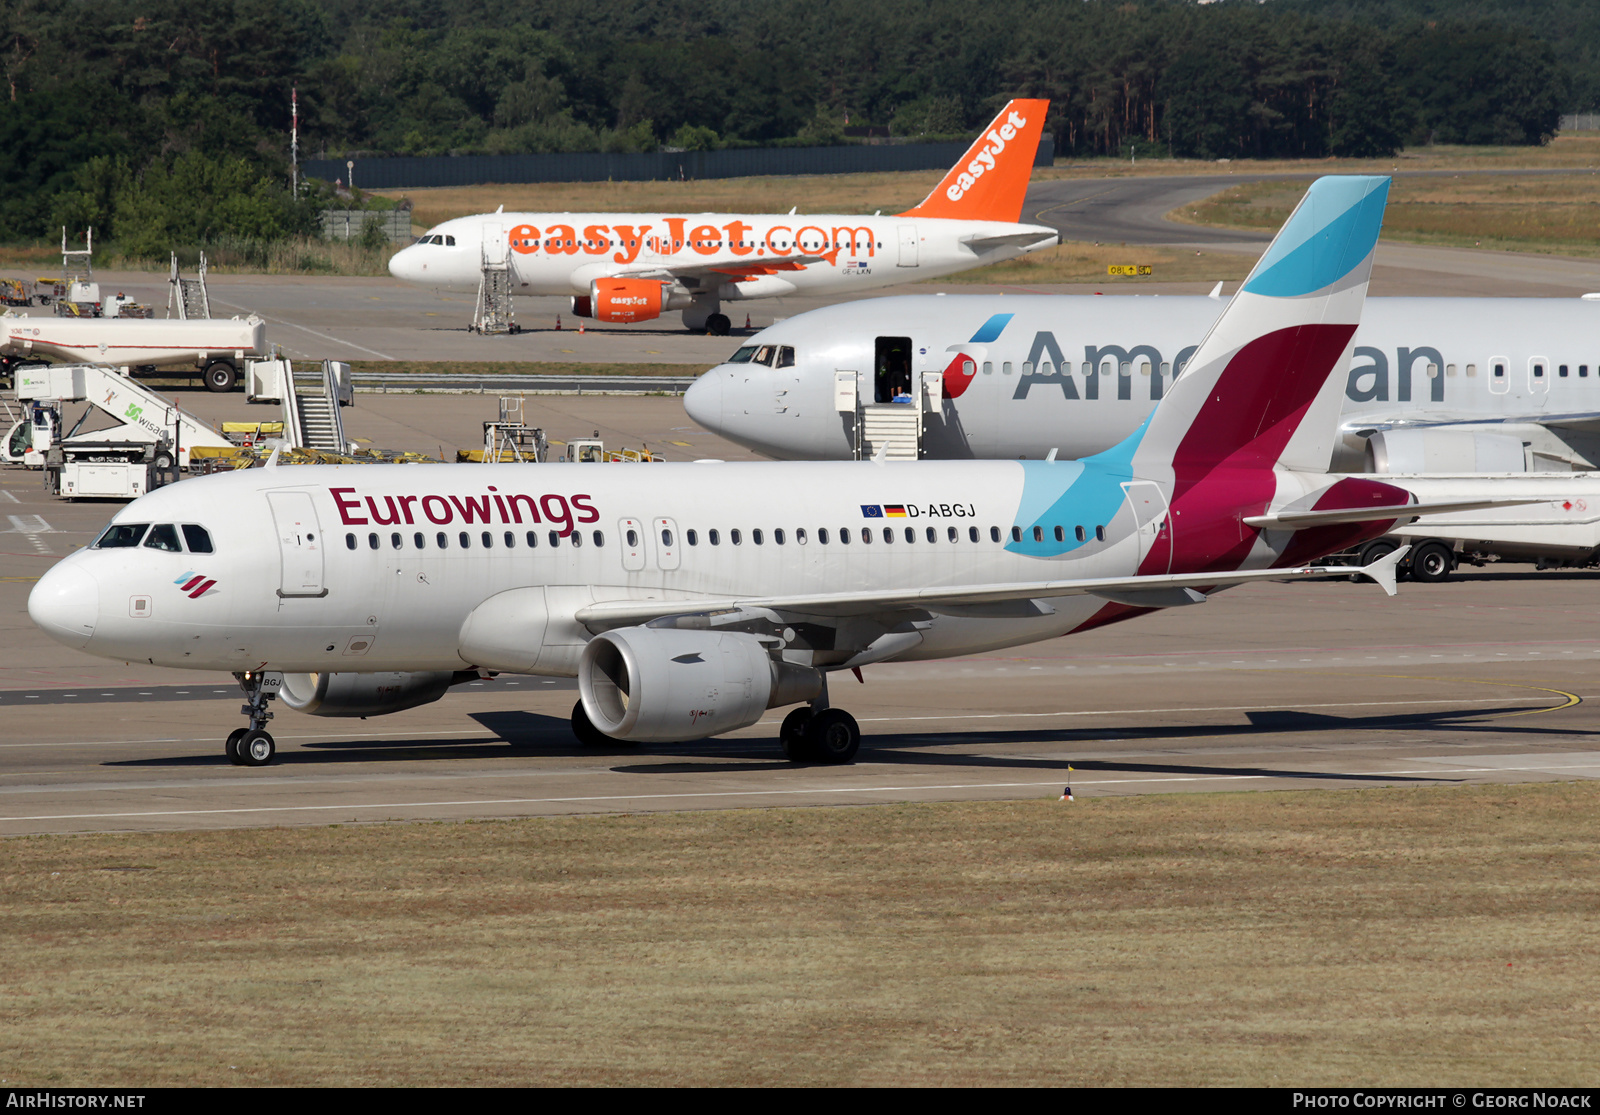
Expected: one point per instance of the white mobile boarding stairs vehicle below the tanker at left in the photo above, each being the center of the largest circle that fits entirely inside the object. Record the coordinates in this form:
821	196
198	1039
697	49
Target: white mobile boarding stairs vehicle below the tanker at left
146	449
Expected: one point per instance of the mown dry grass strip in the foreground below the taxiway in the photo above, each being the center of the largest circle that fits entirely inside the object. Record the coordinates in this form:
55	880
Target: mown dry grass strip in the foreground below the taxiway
1386	937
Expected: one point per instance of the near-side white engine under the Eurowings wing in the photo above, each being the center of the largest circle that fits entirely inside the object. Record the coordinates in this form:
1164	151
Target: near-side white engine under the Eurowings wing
666	685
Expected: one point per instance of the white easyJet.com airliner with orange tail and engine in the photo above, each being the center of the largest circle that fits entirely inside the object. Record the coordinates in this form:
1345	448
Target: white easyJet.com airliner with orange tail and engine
639	266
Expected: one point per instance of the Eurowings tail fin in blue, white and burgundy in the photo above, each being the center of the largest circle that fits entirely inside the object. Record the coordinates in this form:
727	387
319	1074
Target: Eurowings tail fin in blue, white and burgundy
1260	391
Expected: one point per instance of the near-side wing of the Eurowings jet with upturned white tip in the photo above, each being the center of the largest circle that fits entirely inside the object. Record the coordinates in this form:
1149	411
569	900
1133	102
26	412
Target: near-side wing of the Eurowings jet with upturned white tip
1140	591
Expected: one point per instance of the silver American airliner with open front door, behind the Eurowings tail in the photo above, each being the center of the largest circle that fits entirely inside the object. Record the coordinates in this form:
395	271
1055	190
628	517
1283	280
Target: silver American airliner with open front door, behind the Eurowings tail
1025	375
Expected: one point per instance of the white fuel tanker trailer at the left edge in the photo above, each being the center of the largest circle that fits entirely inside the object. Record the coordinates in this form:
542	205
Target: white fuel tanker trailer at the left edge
215	346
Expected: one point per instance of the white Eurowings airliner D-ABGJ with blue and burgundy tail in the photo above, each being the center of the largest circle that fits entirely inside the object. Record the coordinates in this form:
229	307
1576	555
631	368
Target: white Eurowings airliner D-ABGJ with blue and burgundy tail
690	599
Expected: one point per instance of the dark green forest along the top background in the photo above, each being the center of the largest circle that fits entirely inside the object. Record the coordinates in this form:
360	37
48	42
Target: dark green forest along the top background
161	119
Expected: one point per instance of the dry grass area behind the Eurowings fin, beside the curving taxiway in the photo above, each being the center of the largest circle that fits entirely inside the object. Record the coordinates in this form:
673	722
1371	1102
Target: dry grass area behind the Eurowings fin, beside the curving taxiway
1551	215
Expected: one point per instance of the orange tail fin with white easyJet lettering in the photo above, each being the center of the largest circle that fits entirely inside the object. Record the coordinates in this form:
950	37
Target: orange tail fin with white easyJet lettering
990	182
